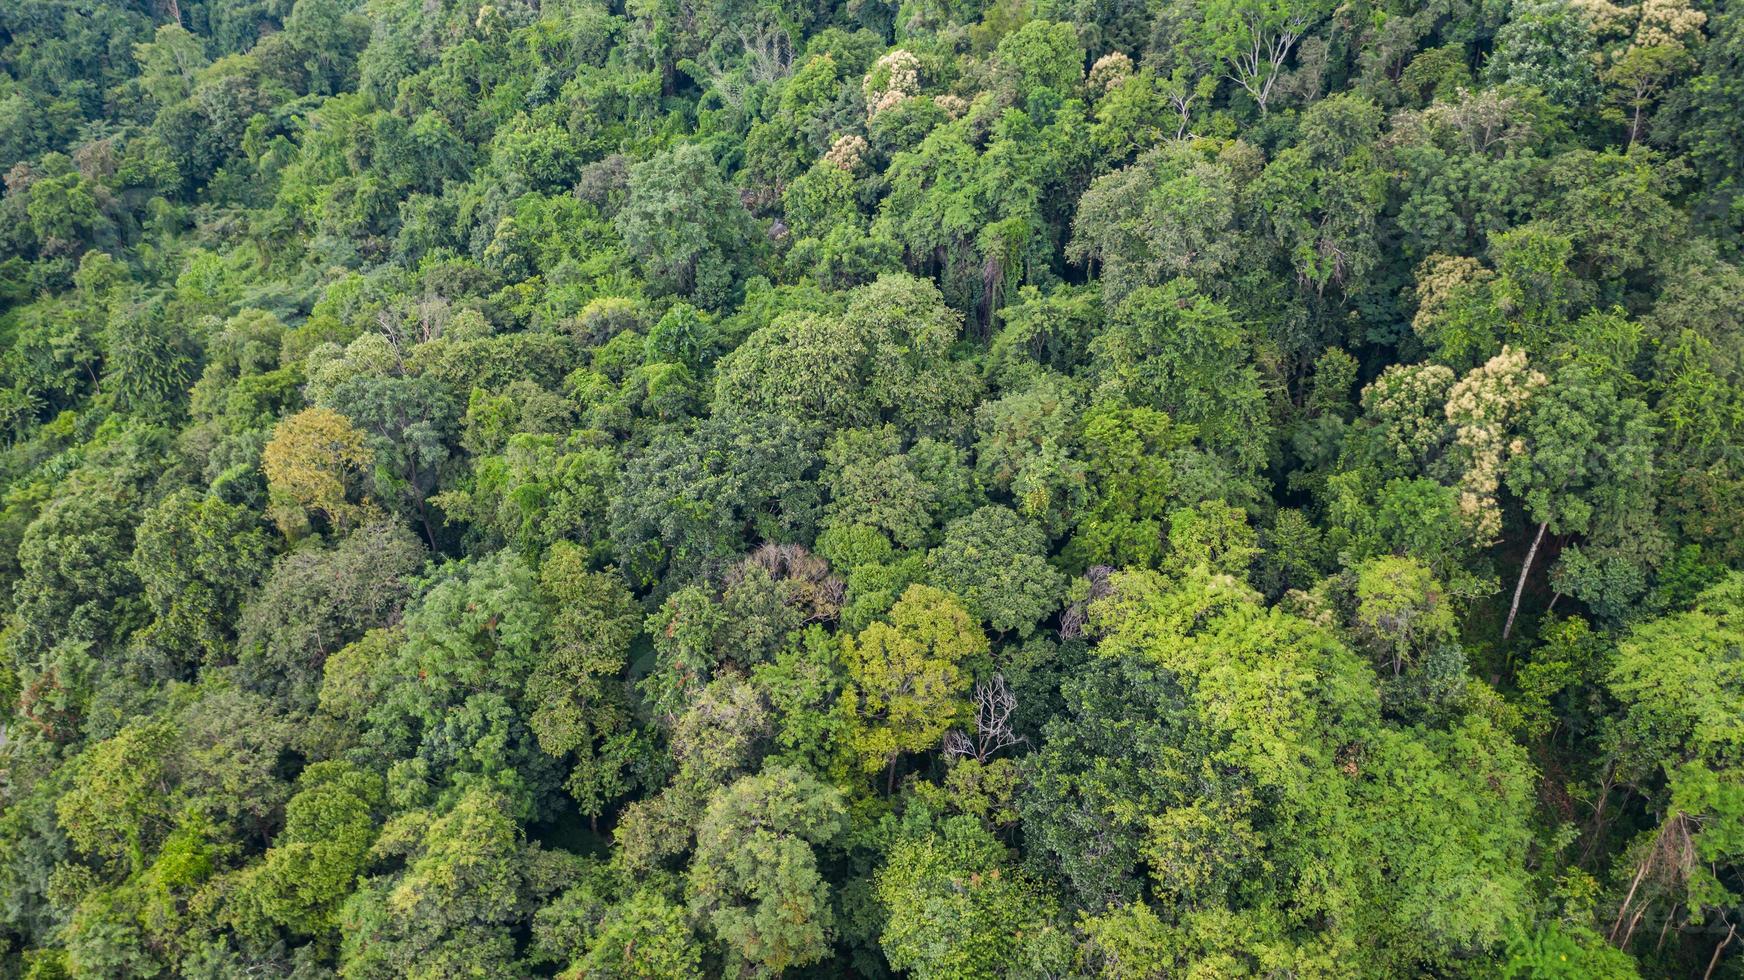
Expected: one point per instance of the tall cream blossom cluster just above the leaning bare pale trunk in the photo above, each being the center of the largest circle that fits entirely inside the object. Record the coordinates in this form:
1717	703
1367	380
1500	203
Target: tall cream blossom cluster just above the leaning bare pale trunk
1482	411
